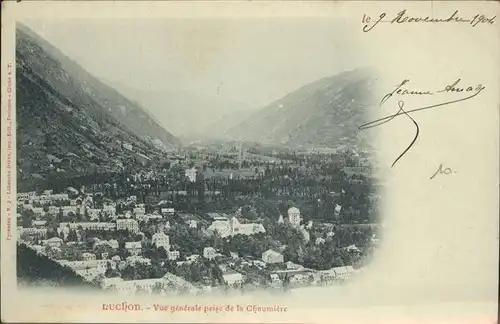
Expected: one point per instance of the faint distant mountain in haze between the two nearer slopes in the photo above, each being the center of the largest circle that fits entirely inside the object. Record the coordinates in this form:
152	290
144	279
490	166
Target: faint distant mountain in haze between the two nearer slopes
184	113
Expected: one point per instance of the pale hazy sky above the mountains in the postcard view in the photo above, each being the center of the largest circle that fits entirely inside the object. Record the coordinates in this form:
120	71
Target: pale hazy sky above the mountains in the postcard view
253	61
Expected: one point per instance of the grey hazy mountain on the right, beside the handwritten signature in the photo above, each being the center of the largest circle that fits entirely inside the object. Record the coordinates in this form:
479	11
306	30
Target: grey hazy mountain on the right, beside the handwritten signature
324	113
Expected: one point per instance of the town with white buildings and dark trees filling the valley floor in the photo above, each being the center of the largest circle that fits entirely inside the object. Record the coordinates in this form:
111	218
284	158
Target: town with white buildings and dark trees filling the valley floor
210	218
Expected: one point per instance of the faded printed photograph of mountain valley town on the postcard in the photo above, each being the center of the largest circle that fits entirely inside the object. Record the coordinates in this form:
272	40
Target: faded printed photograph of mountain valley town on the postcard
193	157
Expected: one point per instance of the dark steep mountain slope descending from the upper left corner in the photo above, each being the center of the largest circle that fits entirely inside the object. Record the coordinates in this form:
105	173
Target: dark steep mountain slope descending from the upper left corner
70	122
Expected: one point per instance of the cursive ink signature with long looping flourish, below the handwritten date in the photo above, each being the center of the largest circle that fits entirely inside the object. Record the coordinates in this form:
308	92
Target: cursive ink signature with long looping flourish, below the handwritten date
400	91
